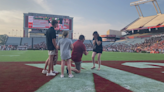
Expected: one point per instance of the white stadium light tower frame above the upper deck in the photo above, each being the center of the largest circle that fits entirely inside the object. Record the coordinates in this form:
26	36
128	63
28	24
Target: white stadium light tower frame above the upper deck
137	3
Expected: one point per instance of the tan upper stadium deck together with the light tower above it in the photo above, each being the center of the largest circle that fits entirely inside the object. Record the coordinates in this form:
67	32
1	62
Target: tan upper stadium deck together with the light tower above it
149	22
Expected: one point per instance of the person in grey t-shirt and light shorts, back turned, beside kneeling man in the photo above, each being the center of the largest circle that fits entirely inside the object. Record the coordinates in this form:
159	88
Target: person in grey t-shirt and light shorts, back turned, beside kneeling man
65	46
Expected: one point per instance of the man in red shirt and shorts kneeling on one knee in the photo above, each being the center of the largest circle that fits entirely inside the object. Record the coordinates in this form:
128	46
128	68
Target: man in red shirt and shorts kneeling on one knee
78	50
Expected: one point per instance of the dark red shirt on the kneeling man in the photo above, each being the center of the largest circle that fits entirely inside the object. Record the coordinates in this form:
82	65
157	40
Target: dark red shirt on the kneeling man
78	50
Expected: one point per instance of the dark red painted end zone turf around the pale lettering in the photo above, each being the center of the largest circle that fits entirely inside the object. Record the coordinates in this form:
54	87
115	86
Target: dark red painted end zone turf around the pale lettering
18	77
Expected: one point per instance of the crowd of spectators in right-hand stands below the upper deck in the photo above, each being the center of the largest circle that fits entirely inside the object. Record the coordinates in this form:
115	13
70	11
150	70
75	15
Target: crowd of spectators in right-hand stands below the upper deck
147	45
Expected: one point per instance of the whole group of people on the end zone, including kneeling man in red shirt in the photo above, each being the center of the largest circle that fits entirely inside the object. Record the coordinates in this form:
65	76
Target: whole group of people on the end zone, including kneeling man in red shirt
65	45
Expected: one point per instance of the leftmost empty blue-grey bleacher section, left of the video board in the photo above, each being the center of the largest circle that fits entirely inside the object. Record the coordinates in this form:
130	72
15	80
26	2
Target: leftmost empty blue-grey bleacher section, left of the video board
13	41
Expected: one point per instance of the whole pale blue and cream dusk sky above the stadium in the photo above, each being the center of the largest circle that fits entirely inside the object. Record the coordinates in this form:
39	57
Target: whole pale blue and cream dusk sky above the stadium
89	15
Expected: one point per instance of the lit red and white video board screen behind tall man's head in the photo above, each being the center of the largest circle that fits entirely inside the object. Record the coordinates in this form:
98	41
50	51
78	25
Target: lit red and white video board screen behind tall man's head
41	22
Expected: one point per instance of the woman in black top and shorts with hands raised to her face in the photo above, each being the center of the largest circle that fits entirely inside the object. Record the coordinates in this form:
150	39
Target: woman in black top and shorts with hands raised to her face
97	49
